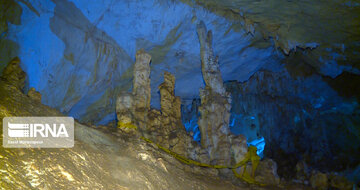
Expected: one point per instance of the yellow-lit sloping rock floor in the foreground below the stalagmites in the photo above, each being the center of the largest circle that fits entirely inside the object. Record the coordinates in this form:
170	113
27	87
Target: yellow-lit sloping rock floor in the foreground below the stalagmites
100	159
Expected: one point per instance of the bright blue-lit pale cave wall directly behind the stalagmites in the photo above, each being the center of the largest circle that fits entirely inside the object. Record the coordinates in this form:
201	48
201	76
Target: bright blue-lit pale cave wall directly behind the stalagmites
92	46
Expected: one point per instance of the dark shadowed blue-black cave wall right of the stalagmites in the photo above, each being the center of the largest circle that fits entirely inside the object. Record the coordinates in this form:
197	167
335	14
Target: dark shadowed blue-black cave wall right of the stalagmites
300	118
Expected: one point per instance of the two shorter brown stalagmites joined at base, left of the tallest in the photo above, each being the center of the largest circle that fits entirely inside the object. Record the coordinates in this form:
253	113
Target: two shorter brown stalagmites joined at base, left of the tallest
133	109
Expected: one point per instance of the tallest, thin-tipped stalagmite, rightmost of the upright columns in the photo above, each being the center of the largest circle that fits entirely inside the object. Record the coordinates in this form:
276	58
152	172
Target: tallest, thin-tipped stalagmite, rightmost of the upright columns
215	103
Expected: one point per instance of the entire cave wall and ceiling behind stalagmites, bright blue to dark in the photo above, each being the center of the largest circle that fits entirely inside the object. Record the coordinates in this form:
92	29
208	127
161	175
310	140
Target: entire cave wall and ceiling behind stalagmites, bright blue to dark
294	71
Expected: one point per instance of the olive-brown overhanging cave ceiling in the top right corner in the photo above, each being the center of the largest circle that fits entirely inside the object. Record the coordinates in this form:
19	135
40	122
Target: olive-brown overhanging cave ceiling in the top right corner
283	23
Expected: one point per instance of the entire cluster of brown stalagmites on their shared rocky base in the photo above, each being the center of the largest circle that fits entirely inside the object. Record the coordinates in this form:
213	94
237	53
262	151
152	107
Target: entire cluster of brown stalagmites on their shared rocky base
165	127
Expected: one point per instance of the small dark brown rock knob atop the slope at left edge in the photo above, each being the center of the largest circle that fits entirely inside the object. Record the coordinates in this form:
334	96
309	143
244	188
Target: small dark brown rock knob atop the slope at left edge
14	75
